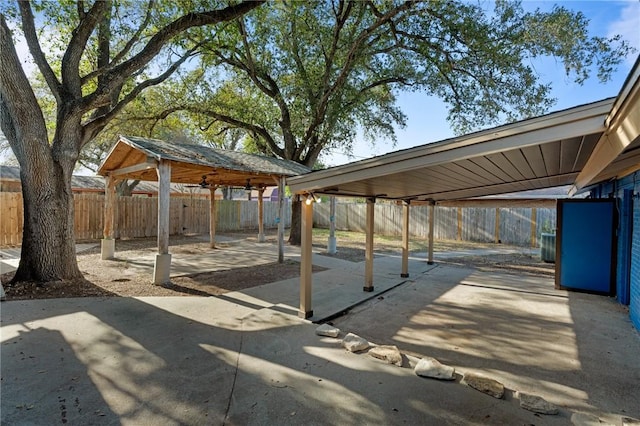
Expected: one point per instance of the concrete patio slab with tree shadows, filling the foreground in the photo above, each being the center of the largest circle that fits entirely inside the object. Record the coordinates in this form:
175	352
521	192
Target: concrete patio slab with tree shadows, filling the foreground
246	358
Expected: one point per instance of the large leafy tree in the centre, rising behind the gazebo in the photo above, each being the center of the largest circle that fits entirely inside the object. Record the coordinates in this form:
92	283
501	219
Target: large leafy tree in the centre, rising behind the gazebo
306	77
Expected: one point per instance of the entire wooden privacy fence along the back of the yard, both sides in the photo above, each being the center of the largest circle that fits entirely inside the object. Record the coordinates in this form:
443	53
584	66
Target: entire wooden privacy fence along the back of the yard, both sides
138	217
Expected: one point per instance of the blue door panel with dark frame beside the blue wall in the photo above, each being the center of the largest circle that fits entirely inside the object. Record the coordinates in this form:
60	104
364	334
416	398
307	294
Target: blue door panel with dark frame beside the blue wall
586	246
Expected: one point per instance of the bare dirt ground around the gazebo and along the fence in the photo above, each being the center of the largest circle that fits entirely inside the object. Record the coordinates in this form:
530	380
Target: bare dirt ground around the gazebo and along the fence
105	278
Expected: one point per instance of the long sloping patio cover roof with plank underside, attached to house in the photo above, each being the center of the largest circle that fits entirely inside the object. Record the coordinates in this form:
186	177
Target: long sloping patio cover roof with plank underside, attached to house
561	148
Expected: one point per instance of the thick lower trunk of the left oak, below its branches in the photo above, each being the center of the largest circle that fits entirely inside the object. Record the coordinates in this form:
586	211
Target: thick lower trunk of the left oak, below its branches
48	237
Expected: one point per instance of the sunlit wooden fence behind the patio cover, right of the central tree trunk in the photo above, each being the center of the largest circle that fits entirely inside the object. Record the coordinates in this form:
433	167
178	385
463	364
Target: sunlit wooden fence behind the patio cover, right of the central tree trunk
518	226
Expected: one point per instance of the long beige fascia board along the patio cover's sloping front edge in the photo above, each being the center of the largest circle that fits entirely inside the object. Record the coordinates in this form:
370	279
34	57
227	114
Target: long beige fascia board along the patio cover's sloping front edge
579	121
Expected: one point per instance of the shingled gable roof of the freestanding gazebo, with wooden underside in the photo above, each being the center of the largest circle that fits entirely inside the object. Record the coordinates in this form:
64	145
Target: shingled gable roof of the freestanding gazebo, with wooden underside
189	163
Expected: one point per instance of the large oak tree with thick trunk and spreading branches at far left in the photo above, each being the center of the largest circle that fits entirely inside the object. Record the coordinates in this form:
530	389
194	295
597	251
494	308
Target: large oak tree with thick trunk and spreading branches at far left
95	57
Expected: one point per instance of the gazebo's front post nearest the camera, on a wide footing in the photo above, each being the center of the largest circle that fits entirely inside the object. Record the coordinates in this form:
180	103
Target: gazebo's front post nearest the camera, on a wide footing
162	267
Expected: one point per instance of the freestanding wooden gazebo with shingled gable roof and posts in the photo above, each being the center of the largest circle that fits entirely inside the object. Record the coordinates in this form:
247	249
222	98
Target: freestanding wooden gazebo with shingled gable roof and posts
164	162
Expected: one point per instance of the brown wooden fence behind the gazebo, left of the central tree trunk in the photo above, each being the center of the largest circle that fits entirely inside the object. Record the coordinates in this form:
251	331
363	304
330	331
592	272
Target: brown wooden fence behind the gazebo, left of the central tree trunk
138	216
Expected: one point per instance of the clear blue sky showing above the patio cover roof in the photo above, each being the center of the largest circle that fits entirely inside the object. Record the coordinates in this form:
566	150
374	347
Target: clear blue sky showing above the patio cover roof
427	114
